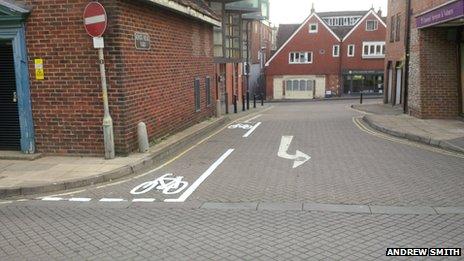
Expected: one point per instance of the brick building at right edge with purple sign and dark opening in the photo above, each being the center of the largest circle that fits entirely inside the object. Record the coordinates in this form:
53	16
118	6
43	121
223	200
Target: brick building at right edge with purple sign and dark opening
425	57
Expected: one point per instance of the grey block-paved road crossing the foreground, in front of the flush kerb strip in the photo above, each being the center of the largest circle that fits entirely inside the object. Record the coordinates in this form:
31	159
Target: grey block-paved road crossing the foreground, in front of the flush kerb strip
44	232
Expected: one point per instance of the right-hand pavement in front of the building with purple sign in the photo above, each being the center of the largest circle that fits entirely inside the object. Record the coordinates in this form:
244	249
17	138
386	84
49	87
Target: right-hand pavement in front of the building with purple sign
446	134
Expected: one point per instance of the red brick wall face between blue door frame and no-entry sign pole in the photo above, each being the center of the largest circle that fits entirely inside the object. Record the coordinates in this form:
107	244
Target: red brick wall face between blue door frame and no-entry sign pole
67	107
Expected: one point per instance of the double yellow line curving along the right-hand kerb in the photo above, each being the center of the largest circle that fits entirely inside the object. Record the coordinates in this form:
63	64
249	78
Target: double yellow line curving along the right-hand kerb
358	122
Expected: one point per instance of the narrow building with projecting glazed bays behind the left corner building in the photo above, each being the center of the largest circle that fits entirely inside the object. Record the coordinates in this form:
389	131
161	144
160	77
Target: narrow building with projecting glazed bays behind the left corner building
234	43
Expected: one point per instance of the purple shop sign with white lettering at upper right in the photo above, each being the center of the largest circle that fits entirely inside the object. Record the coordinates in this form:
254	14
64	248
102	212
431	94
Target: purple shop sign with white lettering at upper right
442	14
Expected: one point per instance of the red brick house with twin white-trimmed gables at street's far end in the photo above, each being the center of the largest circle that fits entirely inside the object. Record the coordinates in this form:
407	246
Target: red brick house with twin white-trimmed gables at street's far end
332	53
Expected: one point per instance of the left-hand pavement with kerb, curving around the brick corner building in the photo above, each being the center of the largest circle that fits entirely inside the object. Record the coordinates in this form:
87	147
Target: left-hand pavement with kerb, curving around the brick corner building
33	174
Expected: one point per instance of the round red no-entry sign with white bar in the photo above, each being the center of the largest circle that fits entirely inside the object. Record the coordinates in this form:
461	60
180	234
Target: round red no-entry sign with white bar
95	20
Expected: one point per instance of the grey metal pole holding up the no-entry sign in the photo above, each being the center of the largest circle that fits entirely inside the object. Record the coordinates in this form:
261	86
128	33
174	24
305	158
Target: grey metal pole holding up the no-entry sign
107	120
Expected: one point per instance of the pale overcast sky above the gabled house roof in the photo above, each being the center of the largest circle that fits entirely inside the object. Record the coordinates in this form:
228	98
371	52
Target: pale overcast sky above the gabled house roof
295	11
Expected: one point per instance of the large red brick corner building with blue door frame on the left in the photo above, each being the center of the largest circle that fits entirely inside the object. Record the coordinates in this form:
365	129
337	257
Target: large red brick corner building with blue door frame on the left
167	83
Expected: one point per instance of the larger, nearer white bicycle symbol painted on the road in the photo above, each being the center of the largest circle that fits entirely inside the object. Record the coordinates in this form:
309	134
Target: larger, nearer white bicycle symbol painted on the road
168	185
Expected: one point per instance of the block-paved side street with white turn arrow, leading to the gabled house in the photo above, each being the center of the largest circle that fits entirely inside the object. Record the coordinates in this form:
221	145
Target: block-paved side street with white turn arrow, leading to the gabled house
348	166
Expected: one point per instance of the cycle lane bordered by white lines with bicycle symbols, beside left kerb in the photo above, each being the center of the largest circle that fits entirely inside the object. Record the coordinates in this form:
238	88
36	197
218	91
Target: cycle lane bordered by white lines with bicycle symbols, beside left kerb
174	181
